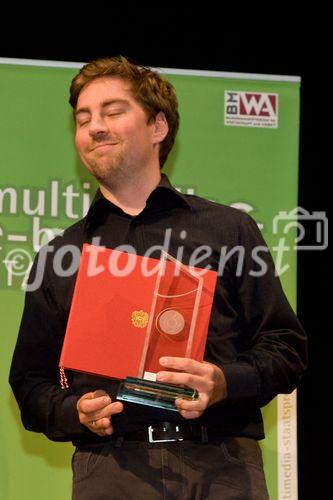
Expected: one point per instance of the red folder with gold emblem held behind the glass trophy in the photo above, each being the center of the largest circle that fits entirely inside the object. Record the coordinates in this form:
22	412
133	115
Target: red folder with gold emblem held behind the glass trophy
127	311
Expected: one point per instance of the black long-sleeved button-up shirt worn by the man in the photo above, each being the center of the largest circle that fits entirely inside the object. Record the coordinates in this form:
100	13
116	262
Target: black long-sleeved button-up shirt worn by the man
254	335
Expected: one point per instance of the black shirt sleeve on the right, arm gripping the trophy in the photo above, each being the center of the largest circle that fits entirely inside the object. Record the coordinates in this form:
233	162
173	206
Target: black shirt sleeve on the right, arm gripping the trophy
273	356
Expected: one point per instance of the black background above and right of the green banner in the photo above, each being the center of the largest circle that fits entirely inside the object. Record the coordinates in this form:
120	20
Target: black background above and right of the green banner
235	39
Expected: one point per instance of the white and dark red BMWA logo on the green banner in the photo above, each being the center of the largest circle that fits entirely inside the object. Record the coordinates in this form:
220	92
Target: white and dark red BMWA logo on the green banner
250	109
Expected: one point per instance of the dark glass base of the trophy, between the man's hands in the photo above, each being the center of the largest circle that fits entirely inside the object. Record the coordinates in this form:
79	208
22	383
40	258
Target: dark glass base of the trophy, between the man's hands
157	394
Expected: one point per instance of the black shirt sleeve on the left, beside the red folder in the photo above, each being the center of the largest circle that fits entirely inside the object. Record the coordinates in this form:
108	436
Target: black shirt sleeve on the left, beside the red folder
34	374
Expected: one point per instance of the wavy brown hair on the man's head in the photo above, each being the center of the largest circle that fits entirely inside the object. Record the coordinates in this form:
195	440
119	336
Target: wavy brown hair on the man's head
149	88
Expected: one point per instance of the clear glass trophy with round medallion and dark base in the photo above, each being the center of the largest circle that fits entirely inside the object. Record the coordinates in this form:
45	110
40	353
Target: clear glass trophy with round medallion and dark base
170	332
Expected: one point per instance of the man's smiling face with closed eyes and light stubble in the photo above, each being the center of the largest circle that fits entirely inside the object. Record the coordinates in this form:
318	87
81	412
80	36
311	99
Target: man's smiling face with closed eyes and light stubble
112	135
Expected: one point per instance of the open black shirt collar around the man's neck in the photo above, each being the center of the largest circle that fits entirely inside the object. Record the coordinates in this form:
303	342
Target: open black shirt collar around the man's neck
174	197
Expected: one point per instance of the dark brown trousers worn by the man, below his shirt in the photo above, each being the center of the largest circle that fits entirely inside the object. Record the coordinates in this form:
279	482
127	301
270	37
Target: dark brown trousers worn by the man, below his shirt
228	468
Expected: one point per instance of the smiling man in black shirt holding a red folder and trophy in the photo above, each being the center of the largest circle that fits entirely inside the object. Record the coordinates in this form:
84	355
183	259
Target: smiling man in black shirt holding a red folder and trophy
126	123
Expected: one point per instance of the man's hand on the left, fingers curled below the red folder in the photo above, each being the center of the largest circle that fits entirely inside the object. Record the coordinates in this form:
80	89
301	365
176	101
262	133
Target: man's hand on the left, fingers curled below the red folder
95	410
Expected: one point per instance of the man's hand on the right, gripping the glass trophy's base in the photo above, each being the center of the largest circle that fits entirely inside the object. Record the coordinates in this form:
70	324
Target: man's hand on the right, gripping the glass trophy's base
207	378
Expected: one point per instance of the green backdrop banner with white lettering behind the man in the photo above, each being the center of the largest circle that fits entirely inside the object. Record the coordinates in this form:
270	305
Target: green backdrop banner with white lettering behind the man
237	144
